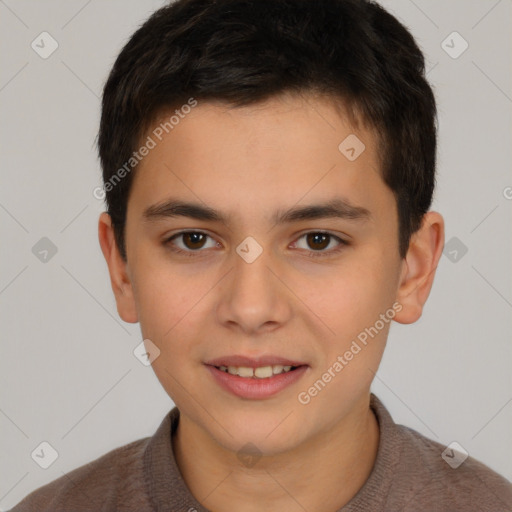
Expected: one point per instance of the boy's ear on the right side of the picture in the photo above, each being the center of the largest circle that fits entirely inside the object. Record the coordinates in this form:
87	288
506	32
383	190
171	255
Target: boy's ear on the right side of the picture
419	267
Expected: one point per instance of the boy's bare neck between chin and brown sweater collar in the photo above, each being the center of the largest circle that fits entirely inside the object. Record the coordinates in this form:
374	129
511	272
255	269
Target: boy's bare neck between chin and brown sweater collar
323	474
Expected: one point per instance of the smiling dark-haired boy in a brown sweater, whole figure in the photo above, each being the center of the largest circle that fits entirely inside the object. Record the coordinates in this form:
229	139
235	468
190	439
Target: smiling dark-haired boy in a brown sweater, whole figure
269	167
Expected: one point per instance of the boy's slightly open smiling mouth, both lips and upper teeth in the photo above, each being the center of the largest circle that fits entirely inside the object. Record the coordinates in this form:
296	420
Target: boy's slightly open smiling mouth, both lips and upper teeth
255	378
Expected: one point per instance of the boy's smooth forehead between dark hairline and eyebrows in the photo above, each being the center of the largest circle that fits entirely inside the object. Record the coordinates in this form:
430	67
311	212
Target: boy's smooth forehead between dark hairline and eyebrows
259	157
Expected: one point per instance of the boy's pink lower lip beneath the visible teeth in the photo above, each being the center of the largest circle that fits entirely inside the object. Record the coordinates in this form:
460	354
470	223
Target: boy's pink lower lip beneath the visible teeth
254	388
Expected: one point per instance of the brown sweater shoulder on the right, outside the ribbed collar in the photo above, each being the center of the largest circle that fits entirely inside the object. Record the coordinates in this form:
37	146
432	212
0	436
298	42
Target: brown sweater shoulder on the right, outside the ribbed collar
451	479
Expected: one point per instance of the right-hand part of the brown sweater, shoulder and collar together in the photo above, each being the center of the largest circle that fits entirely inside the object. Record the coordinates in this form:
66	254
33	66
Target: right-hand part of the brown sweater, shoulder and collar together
412	472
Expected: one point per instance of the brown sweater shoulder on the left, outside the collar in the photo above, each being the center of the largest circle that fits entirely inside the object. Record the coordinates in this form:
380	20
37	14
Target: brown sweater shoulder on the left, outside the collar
114	480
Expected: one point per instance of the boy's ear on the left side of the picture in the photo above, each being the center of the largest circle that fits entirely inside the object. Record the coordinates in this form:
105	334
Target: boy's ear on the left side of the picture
118	269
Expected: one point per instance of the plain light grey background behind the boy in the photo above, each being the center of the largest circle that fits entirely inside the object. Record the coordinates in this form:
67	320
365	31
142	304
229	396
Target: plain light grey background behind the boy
67	372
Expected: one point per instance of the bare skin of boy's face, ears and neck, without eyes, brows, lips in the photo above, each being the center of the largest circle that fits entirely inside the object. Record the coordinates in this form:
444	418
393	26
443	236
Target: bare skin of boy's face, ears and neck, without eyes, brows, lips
247	163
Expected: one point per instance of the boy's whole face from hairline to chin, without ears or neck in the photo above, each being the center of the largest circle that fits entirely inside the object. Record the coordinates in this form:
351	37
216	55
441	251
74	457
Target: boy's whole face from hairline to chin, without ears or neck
254	244
